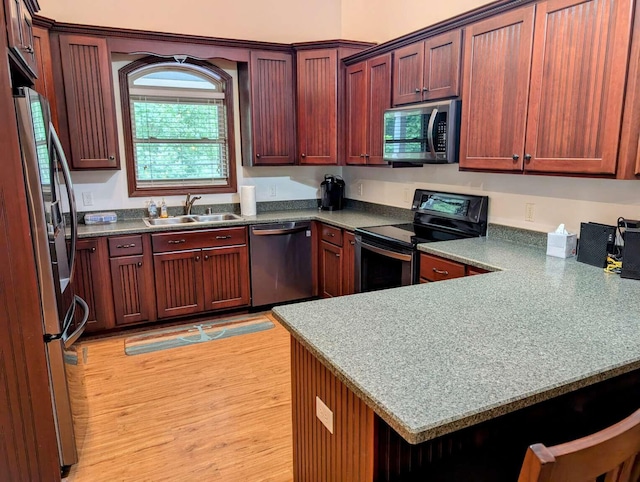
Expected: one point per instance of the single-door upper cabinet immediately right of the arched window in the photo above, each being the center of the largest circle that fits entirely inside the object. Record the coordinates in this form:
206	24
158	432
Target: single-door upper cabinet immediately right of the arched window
267	109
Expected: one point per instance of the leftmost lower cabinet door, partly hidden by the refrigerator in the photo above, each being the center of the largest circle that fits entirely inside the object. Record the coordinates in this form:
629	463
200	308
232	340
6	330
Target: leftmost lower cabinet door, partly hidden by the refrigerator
91	283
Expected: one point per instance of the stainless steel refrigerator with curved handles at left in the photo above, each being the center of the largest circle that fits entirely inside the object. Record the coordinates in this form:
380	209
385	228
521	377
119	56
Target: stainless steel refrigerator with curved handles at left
54	233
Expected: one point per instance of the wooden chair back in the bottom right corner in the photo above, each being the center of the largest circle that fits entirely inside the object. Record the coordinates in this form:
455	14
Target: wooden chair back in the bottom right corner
611	455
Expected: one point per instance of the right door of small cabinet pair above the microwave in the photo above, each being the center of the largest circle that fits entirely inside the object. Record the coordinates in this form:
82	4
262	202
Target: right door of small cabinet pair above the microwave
442	66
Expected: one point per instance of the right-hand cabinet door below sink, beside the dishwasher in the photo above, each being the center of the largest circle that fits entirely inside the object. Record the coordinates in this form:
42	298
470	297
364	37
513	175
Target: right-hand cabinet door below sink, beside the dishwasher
226	277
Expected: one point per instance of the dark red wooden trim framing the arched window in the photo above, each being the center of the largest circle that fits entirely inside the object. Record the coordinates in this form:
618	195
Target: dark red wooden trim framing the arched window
136	191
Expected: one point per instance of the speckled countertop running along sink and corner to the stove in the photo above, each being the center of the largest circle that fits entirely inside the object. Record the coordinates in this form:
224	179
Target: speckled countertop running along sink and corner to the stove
347	219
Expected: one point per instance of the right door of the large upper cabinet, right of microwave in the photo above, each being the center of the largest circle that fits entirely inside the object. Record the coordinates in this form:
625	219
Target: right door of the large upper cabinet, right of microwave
576	101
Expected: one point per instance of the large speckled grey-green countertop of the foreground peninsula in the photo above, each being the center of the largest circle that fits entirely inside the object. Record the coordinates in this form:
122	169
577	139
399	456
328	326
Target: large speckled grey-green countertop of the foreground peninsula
434	358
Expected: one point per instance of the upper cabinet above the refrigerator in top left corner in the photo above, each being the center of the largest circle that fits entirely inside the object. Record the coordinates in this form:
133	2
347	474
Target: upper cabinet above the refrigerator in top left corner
20	35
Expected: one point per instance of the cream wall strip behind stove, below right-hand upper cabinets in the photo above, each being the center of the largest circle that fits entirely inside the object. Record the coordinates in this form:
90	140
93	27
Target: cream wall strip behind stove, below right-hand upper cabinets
556	199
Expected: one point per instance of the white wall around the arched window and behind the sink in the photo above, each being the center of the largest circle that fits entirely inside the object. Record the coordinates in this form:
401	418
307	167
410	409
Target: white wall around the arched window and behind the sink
109	188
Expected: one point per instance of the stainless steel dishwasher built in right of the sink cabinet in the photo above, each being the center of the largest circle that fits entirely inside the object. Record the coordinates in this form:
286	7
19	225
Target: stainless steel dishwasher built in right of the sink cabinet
280	262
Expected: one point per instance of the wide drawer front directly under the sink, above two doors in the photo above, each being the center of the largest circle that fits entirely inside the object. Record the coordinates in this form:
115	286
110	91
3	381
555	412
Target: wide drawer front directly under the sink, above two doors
211	238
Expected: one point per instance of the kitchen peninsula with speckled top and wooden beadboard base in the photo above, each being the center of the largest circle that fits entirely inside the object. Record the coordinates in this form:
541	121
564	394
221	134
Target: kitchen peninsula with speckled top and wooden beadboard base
432	380
